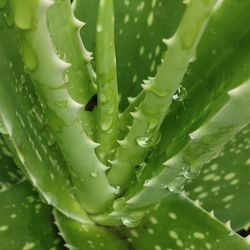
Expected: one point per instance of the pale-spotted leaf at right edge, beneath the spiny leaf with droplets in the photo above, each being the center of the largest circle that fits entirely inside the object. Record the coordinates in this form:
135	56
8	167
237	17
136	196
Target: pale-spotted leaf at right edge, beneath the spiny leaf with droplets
223	185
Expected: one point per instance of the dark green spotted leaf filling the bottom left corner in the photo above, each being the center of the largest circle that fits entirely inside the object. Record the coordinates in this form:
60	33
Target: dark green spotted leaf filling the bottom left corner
26	222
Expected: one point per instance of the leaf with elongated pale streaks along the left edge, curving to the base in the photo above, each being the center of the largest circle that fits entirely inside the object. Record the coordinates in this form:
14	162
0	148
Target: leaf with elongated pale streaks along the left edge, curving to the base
26	131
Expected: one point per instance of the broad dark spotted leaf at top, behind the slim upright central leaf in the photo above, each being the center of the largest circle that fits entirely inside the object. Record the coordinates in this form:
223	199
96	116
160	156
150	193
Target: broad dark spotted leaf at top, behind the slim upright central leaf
140	27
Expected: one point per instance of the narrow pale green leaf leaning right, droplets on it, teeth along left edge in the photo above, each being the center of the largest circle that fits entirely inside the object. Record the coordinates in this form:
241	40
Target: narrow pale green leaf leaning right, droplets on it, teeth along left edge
152	109
